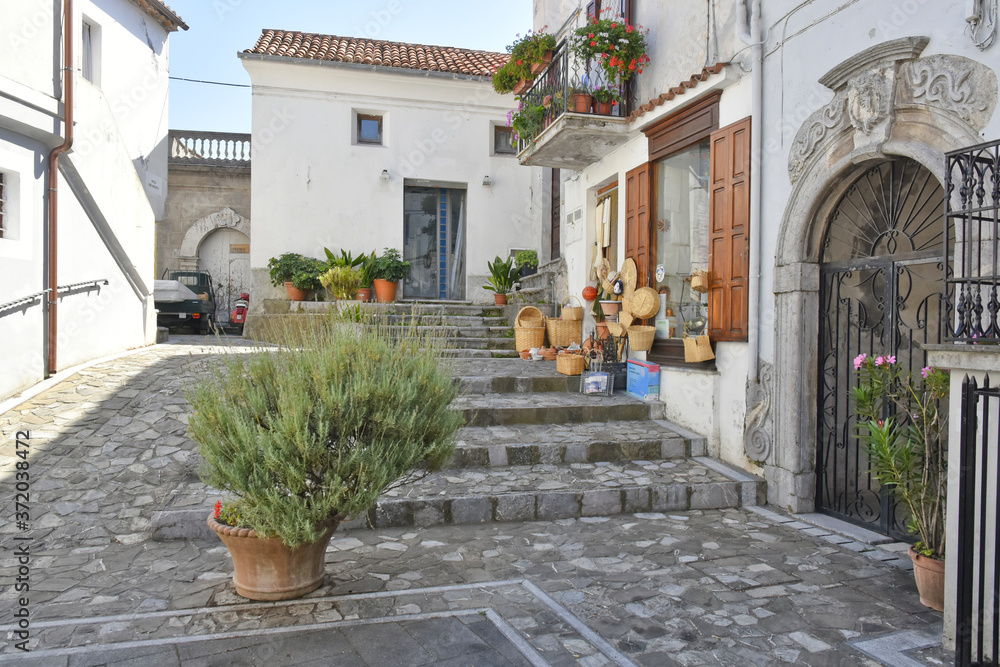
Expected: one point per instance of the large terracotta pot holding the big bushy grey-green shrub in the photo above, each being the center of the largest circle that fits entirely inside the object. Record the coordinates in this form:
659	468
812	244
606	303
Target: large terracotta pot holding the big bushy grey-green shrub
266	569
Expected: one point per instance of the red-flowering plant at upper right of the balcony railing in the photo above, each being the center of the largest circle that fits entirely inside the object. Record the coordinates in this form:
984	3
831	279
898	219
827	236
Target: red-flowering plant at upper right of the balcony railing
617	46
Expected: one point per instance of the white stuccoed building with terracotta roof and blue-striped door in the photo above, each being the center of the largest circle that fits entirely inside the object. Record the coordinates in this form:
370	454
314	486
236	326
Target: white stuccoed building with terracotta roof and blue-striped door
363	144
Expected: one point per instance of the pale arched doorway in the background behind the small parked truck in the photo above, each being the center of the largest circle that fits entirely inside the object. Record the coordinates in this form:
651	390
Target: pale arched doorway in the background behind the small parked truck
225	254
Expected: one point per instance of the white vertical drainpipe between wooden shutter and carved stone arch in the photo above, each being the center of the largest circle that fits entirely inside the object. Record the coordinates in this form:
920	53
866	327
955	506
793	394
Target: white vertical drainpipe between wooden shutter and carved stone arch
750	32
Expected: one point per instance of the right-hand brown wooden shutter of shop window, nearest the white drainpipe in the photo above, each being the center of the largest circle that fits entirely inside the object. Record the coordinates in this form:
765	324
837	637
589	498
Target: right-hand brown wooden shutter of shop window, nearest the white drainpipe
729	237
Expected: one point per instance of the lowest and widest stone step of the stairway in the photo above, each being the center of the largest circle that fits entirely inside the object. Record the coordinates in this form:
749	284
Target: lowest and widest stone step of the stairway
551	492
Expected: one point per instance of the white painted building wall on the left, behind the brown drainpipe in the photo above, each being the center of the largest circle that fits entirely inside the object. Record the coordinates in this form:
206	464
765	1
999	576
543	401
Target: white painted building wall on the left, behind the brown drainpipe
119	152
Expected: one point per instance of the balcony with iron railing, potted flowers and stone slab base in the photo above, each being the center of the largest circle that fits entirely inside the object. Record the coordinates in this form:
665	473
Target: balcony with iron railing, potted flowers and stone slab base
574	96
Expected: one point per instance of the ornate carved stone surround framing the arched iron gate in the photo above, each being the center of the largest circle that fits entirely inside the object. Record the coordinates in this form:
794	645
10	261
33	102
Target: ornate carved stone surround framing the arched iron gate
887	101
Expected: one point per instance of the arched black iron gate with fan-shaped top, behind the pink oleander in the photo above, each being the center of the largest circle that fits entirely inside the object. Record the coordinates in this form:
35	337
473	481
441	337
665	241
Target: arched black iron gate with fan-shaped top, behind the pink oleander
881	277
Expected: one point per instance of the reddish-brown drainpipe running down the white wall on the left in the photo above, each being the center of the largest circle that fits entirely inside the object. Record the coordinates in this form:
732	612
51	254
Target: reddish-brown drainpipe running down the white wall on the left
53	221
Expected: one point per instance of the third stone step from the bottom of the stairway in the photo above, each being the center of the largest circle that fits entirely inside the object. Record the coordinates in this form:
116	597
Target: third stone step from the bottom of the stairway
550	408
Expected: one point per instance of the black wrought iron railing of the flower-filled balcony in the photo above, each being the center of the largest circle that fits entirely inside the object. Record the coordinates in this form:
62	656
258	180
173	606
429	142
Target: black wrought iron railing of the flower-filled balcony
566	75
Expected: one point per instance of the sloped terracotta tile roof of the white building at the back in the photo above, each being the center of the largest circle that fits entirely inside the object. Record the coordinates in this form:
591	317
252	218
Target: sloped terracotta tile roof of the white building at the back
311	46
